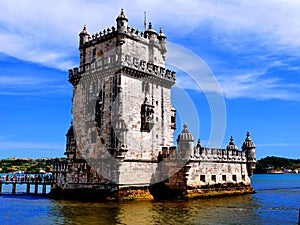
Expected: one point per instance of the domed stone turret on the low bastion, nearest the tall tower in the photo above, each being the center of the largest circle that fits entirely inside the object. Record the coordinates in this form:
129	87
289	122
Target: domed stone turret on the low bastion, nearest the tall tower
185	142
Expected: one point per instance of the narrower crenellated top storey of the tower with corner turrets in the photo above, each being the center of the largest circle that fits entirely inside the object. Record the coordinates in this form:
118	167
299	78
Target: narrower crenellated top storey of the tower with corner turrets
123	46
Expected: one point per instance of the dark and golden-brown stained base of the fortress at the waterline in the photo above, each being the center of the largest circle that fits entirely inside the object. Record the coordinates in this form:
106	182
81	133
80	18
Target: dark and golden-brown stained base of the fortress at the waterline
157	192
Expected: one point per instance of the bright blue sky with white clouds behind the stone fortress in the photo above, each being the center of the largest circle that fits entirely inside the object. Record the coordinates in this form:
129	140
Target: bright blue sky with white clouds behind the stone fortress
251	47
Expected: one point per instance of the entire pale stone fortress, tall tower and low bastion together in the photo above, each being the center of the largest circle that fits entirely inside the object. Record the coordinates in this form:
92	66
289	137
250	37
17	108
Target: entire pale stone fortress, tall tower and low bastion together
120	143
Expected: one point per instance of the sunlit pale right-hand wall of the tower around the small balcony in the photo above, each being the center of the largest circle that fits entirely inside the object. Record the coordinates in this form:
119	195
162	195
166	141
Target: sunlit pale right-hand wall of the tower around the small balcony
146	145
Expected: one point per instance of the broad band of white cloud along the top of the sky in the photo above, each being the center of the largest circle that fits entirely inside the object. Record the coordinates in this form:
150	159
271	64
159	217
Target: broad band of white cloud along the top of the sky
31	30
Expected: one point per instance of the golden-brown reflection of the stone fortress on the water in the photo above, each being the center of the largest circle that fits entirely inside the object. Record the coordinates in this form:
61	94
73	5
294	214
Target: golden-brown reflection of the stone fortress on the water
227	210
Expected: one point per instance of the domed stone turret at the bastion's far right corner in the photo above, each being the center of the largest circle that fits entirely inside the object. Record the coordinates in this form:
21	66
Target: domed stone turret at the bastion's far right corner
249	149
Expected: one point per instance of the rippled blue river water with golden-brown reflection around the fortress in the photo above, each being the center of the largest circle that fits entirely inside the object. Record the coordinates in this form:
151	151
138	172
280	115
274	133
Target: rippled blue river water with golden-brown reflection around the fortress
277	201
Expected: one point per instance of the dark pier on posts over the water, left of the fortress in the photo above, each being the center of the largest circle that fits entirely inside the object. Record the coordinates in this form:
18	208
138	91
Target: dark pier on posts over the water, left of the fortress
28	184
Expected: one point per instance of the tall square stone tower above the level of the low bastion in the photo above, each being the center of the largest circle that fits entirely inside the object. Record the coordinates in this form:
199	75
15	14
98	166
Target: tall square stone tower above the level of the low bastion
121	92
